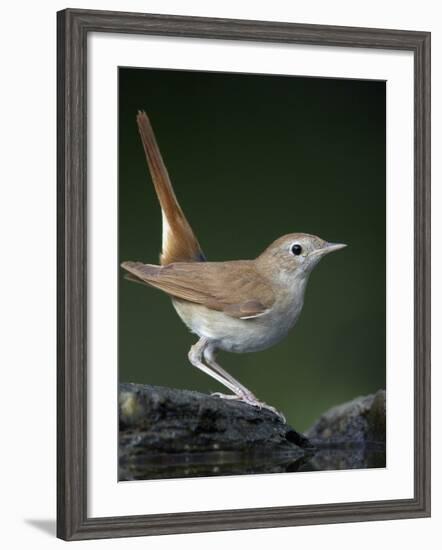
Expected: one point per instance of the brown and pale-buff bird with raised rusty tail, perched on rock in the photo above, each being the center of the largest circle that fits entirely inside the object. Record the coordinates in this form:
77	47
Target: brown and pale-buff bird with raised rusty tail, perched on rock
238	306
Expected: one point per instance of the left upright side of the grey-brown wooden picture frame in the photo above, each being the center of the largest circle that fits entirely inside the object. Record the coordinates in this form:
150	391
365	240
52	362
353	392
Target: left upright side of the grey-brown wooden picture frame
71	281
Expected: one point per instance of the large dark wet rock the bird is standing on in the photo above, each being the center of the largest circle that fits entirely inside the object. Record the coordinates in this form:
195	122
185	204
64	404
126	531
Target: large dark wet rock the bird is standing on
166	432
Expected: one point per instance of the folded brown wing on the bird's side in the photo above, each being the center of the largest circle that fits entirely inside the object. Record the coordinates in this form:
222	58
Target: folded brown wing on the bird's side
235	288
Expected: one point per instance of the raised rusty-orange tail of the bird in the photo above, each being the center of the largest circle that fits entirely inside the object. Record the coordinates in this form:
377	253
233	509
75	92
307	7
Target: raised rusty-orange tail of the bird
179	241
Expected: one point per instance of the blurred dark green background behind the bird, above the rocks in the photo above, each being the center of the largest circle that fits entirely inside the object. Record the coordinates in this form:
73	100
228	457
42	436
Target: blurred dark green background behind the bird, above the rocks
253	157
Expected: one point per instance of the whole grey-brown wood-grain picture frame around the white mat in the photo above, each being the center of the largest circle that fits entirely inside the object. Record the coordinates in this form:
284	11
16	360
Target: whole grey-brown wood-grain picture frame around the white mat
73	27
